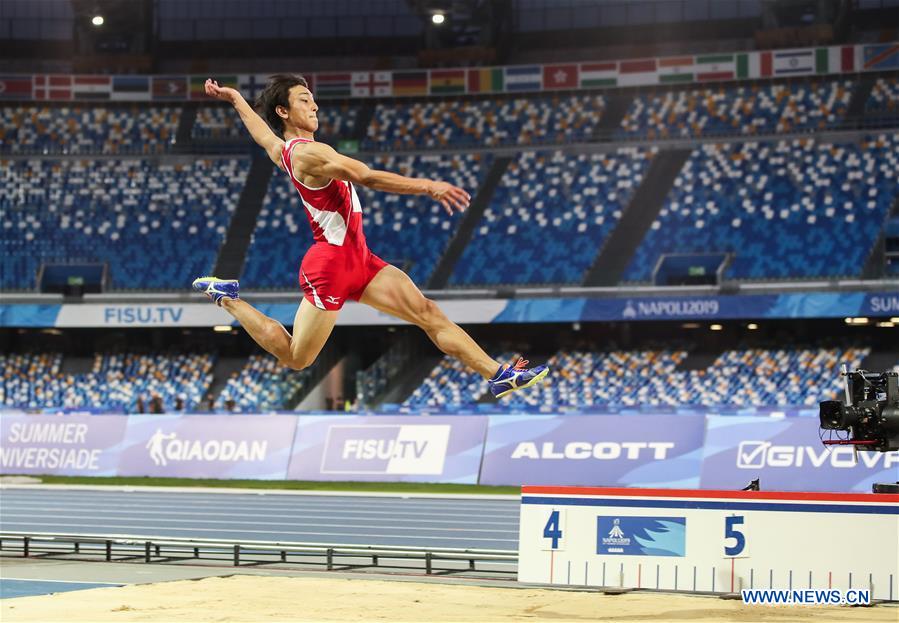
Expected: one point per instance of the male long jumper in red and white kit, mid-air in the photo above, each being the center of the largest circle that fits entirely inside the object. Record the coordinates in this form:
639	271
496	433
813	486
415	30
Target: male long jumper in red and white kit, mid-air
339	265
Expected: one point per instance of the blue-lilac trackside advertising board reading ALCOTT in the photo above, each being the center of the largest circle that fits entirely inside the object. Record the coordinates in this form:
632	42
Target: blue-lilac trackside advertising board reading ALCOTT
602	450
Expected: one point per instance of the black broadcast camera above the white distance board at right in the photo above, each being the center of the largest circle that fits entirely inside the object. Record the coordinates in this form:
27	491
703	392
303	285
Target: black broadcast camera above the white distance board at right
870	412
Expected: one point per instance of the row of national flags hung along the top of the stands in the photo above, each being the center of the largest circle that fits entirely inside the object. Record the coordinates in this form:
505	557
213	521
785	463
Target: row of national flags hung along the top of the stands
642	72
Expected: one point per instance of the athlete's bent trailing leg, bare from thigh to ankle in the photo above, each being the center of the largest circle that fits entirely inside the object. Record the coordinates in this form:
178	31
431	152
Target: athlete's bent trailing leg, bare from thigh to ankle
311	328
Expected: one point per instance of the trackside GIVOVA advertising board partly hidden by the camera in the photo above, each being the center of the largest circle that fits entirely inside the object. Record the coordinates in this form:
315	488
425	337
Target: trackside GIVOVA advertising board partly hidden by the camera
787	455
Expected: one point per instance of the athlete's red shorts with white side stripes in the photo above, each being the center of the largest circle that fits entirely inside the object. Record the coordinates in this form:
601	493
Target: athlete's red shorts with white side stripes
329	275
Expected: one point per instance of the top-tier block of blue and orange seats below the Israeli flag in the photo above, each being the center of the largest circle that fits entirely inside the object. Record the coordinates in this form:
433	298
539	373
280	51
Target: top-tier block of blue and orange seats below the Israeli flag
741	110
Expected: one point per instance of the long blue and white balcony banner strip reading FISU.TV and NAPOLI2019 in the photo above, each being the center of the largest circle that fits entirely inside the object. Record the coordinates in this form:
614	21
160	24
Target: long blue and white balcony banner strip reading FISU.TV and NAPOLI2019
480	311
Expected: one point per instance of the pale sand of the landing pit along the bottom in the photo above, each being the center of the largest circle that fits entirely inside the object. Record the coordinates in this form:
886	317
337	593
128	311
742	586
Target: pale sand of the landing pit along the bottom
264	598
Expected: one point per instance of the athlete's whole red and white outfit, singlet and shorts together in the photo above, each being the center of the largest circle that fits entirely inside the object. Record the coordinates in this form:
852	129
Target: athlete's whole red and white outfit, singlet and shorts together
339	265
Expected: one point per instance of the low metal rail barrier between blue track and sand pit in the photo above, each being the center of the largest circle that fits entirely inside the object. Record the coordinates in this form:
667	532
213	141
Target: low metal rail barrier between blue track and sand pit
119	547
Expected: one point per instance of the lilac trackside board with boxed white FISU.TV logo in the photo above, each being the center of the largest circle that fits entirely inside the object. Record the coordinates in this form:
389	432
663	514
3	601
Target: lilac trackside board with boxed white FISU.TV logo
384	448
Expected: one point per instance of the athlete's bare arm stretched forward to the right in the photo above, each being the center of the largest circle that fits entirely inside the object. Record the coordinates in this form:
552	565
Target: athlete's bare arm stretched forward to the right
320	160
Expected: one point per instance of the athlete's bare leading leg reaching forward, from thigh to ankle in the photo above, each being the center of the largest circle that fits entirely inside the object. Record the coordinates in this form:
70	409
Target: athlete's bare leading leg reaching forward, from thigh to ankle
392	292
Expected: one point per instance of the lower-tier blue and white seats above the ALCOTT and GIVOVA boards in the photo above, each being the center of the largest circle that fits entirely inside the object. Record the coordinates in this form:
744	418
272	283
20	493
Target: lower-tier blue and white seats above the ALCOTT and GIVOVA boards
747	377
